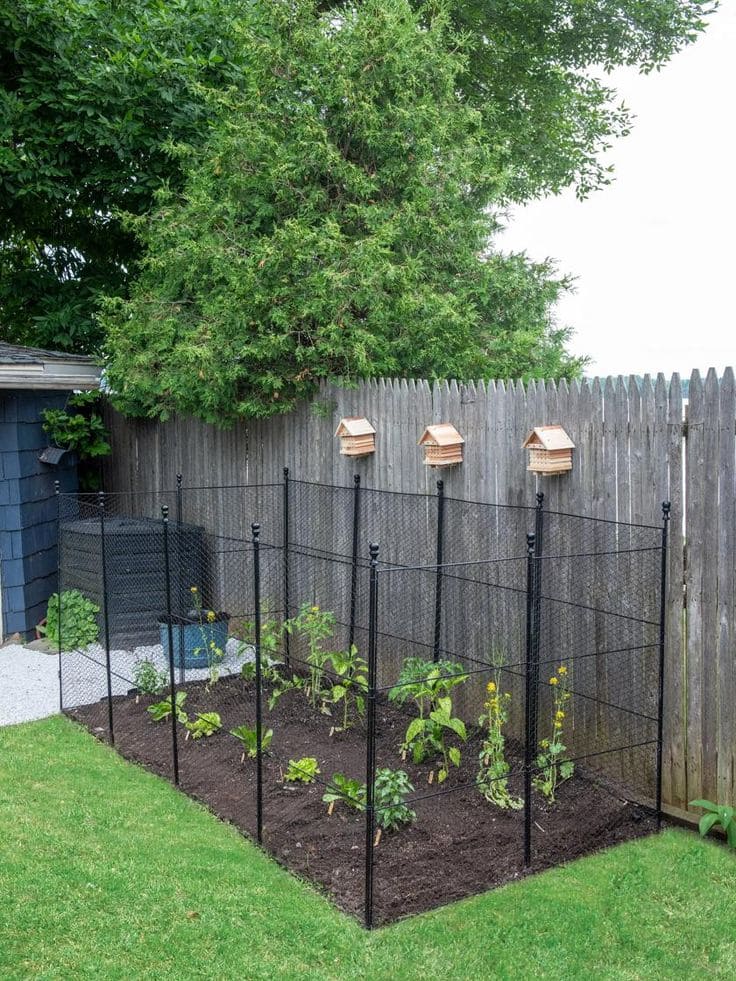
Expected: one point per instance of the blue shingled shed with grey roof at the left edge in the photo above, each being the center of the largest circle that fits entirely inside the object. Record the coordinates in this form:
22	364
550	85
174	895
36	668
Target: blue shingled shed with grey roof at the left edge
32	380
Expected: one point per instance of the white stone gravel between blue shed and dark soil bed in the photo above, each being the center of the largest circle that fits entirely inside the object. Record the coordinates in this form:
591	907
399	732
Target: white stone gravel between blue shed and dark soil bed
29	683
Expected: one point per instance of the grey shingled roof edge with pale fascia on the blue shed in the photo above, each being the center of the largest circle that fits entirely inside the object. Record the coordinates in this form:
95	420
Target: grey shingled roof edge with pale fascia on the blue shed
34	368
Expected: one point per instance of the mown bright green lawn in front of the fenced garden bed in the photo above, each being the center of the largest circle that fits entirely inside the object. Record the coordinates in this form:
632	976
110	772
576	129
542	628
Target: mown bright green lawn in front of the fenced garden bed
107	872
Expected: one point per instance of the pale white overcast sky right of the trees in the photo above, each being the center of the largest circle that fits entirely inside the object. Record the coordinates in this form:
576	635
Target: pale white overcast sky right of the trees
654	252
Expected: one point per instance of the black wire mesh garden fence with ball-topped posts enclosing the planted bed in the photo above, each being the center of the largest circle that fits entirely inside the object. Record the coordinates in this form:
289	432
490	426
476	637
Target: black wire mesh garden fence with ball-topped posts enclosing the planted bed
407	698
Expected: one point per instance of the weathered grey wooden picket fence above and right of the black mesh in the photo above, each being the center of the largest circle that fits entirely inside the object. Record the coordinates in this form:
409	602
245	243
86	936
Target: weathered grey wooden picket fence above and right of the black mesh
635	447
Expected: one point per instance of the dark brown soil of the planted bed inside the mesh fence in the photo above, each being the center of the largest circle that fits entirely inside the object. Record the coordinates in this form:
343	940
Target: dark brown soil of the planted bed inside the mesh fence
459	844
